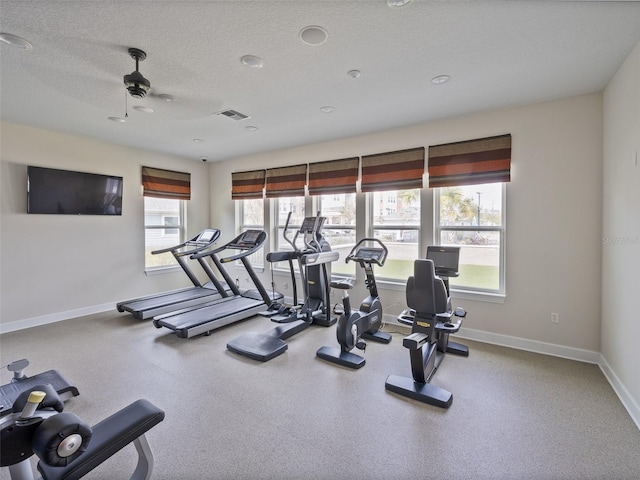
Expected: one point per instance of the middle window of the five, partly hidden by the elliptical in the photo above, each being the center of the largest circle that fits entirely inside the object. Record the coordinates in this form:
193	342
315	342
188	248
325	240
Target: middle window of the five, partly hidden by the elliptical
340	227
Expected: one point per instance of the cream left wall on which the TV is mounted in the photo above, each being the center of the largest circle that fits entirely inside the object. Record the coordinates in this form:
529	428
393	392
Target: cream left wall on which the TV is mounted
56	266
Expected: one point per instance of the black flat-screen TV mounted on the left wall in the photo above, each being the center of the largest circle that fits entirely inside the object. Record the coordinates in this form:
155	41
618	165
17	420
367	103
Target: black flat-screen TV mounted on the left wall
72	193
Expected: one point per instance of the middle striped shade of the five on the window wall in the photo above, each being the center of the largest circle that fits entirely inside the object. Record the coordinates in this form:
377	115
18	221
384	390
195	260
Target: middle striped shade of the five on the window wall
334	176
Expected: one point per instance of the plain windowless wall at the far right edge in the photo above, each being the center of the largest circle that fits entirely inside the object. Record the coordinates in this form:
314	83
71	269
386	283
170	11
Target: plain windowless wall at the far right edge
621	230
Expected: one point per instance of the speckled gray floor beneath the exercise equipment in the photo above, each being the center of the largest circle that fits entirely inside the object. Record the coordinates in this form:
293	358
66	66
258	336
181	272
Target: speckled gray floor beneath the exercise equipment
515	414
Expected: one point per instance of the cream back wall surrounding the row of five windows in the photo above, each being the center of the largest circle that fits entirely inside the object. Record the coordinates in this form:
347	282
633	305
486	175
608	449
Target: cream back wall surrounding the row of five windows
553	212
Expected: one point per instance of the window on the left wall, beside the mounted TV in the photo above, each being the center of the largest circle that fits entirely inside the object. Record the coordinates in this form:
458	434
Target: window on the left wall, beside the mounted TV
160	213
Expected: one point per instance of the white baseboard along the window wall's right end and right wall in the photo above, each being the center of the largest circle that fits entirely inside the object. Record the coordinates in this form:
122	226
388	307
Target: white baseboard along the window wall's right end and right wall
578	354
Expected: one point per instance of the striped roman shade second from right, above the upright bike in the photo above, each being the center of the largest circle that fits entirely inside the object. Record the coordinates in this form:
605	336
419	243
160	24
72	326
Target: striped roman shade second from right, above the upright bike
398	170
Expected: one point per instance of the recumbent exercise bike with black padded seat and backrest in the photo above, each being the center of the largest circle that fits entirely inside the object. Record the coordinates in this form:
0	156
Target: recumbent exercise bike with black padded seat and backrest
433	322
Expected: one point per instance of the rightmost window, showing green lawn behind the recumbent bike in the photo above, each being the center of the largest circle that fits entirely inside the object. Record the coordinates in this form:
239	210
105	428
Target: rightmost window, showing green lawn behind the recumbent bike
473	218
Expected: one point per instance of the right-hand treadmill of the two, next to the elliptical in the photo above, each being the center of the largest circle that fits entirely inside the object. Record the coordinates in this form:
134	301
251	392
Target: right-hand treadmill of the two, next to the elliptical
240	305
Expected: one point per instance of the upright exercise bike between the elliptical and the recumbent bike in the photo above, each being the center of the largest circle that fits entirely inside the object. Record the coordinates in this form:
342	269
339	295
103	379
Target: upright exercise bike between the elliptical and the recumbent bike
354	325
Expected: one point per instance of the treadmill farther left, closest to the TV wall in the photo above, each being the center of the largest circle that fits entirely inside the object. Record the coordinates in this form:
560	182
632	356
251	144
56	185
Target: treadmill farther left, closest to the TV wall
149	306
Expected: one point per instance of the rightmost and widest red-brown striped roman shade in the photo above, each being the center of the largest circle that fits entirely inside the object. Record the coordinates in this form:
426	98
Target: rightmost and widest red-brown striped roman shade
485	160
